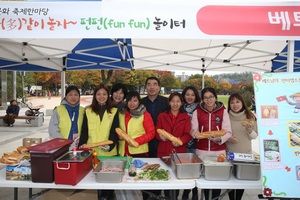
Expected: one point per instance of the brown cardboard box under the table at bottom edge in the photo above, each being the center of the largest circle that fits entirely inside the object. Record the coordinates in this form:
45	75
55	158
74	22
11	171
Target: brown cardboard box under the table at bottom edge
70	195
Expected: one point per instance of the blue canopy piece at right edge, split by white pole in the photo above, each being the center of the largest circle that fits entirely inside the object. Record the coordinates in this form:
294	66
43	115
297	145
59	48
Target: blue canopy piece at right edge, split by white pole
279	63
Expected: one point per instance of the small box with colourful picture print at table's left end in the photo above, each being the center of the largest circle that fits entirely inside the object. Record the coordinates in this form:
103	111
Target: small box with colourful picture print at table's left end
15	172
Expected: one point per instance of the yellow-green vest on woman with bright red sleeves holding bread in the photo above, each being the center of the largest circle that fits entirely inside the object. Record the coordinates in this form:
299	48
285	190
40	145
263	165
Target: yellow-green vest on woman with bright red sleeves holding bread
135	129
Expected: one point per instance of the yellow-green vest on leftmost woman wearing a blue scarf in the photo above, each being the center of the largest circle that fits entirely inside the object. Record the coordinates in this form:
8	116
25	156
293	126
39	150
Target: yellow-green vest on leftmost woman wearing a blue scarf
65	122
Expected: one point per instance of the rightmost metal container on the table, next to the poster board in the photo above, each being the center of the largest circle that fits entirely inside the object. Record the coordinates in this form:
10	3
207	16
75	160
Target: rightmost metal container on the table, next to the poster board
246	171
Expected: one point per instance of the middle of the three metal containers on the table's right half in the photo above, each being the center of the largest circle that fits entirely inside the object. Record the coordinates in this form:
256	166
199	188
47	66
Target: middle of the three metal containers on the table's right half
216	171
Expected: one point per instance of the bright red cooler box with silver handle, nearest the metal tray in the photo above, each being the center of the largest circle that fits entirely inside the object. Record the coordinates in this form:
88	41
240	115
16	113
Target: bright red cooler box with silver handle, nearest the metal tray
73	166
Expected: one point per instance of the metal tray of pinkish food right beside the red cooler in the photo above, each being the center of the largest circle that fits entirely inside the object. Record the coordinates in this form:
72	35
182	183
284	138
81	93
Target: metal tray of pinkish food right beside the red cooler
110	174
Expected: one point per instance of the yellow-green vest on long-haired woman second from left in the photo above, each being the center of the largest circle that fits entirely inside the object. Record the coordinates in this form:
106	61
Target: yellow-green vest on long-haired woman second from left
99	131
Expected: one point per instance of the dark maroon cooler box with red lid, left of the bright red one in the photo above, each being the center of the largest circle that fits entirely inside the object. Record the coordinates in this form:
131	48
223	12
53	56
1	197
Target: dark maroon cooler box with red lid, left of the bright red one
42	157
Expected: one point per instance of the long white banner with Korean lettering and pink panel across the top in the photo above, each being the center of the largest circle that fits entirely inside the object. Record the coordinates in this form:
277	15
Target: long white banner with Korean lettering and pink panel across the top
149	19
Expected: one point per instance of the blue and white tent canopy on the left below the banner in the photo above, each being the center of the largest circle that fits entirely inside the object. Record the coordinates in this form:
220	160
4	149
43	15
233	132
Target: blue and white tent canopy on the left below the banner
65	54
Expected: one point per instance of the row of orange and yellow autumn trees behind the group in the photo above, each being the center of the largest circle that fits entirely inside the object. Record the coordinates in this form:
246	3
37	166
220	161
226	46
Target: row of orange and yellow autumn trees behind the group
86	80
